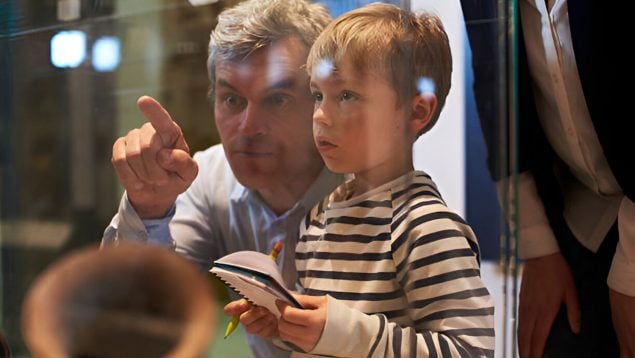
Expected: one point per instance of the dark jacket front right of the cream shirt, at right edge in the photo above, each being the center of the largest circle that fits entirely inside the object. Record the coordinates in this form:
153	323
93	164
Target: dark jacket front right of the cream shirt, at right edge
602	66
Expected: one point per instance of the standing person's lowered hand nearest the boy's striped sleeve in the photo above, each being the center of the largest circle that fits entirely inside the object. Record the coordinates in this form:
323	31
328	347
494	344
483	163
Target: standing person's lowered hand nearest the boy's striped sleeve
546	283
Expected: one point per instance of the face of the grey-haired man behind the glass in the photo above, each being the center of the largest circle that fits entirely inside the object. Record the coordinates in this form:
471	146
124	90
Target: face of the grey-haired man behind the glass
263	110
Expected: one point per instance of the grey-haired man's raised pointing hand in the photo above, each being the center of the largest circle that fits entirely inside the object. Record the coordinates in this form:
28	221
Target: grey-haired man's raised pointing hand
153	162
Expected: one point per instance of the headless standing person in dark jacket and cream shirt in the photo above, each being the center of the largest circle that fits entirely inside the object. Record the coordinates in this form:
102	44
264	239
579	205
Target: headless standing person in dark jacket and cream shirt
576	184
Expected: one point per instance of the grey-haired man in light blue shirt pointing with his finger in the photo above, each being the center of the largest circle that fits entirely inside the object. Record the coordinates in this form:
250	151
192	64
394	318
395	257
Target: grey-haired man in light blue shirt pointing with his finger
253	190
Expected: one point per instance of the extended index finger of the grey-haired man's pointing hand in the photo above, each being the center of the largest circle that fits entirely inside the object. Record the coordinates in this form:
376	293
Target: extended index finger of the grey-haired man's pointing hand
162	122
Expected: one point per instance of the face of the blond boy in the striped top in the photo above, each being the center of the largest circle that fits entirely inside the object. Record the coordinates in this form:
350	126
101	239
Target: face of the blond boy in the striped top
359	126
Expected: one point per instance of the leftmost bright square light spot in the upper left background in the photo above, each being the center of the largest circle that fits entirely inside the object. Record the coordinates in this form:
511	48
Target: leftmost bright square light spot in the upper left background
68	49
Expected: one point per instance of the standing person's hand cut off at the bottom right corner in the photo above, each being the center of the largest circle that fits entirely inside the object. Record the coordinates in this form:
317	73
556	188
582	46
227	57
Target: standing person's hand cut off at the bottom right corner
624	321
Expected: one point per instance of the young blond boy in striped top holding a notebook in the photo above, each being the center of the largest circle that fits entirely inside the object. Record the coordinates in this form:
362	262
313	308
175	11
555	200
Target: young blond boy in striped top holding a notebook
387	268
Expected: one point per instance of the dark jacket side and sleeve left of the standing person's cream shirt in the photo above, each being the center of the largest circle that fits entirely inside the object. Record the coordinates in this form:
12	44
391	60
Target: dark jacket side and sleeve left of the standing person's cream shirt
505	103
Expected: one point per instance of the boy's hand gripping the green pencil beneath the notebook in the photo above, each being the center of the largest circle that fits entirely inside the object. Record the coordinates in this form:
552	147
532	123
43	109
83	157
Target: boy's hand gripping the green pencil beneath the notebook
257	320
